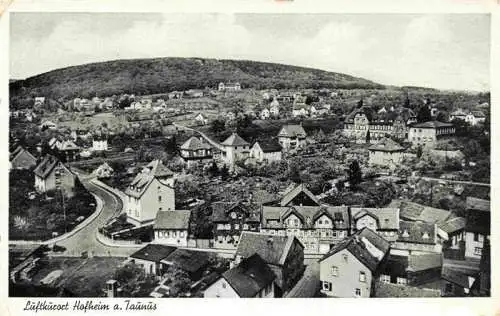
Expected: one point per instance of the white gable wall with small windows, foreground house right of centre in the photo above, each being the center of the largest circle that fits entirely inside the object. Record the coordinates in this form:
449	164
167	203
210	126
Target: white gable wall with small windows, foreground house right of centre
347	281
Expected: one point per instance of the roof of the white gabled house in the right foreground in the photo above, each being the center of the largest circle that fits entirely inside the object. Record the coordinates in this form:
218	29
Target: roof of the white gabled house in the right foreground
366	245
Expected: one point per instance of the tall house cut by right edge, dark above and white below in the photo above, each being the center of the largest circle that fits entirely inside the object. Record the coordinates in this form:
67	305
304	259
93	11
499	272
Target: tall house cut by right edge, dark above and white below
477	229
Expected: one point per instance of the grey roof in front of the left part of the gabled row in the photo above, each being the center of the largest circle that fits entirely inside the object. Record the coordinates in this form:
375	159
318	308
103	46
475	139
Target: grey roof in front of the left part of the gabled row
272	249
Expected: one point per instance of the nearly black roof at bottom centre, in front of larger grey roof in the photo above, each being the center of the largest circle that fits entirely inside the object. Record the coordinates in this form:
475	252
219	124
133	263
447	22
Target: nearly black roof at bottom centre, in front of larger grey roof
250	276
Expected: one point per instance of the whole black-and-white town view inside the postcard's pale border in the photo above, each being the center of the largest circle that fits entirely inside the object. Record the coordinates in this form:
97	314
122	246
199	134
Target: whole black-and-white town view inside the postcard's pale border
248	155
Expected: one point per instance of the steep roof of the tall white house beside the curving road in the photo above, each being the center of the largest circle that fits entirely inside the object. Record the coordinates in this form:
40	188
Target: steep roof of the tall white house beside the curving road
155	169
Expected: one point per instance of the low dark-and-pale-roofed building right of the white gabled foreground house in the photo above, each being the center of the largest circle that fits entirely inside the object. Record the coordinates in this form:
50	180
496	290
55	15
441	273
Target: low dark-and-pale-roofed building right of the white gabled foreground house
413	270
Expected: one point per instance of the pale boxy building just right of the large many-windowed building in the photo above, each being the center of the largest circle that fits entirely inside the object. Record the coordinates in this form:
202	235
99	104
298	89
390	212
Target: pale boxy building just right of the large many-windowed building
427	134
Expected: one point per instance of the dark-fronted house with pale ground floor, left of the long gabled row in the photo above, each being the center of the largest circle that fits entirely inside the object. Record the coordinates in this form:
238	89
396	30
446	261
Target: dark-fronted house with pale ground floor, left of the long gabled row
229	220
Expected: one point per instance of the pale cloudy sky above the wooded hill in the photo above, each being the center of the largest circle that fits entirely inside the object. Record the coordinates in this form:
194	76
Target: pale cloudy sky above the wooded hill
444	51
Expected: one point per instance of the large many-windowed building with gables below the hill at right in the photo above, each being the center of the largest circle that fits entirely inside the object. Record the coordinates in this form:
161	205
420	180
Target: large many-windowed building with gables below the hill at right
365	124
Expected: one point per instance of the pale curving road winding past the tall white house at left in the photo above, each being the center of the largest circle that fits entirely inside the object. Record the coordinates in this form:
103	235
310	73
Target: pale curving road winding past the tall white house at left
85	239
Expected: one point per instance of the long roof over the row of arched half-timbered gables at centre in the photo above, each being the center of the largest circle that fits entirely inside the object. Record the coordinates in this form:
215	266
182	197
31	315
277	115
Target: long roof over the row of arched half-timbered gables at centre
307	214
